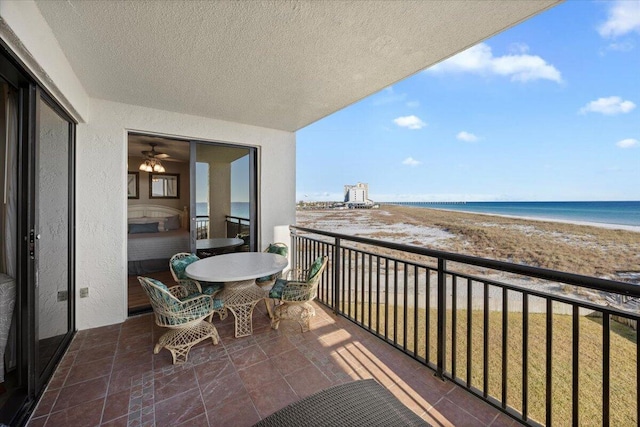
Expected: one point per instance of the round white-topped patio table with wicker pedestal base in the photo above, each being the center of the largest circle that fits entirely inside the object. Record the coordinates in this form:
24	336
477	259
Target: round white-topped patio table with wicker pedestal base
239	272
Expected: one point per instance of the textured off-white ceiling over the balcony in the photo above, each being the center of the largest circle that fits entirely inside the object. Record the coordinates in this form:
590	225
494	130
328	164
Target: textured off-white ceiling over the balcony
282	64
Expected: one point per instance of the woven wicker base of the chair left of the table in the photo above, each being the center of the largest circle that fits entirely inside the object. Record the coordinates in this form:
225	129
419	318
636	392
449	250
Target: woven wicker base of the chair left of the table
180	341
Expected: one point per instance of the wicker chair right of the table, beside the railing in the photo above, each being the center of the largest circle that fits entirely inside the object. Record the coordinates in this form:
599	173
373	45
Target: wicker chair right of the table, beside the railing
294	296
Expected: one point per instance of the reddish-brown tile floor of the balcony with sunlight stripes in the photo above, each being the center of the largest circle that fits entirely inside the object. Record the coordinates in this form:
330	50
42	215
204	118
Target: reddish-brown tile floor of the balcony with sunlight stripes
110	376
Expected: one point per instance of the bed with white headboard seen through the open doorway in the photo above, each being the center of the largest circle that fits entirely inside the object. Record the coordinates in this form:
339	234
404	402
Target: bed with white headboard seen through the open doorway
154	234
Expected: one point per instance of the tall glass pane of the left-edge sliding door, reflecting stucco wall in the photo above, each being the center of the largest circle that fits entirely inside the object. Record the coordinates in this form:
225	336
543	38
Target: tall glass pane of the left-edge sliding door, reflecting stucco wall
52	237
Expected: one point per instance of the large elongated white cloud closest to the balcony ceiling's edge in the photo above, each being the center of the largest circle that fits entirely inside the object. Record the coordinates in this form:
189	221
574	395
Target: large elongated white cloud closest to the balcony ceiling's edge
479	59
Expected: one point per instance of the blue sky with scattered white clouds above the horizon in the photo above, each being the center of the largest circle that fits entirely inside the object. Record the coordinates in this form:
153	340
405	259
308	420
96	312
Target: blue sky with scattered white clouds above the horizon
547	110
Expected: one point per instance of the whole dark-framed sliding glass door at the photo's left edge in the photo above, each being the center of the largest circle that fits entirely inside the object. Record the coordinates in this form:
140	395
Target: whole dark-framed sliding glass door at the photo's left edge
37	230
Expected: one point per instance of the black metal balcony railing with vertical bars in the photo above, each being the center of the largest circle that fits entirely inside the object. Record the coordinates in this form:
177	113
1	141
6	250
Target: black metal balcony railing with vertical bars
543	346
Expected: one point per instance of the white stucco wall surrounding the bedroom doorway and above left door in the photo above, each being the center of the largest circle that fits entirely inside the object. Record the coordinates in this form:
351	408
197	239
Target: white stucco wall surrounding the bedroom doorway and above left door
101	163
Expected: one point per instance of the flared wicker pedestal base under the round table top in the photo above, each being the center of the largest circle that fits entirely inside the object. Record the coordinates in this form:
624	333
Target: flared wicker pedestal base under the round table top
241	298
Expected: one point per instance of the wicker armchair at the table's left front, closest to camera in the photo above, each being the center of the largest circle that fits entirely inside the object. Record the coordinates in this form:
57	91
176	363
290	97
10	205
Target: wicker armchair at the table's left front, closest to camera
182	309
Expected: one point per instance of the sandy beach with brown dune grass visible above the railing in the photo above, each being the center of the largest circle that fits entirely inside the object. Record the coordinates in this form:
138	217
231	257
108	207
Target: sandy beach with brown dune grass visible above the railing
600	250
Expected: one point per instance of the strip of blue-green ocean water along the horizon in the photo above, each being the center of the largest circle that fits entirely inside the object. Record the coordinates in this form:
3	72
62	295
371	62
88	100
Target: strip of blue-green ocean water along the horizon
620	213
